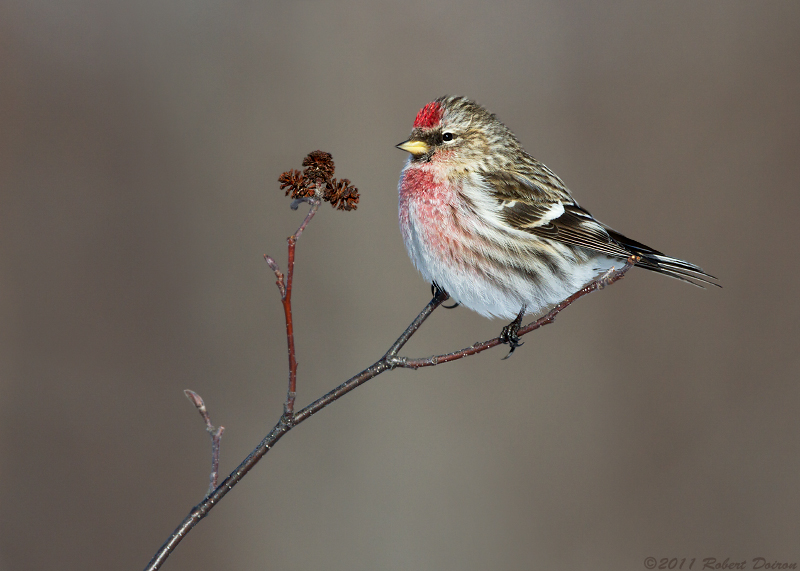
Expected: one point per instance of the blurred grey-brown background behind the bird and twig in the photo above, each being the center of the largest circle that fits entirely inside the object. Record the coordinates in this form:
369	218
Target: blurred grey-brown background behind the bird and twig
140	143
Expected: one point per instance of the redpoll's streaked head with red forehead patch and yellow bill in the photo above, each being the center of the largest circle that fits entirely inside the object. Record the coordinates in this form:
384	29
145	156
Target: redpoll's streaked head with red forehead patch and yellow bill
460	133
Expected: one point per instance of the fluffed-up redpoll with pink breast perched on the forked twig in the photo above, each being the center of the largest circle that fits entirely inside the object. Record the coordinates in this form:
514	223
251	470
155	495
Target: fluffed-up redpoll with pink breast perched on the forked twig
498	231
